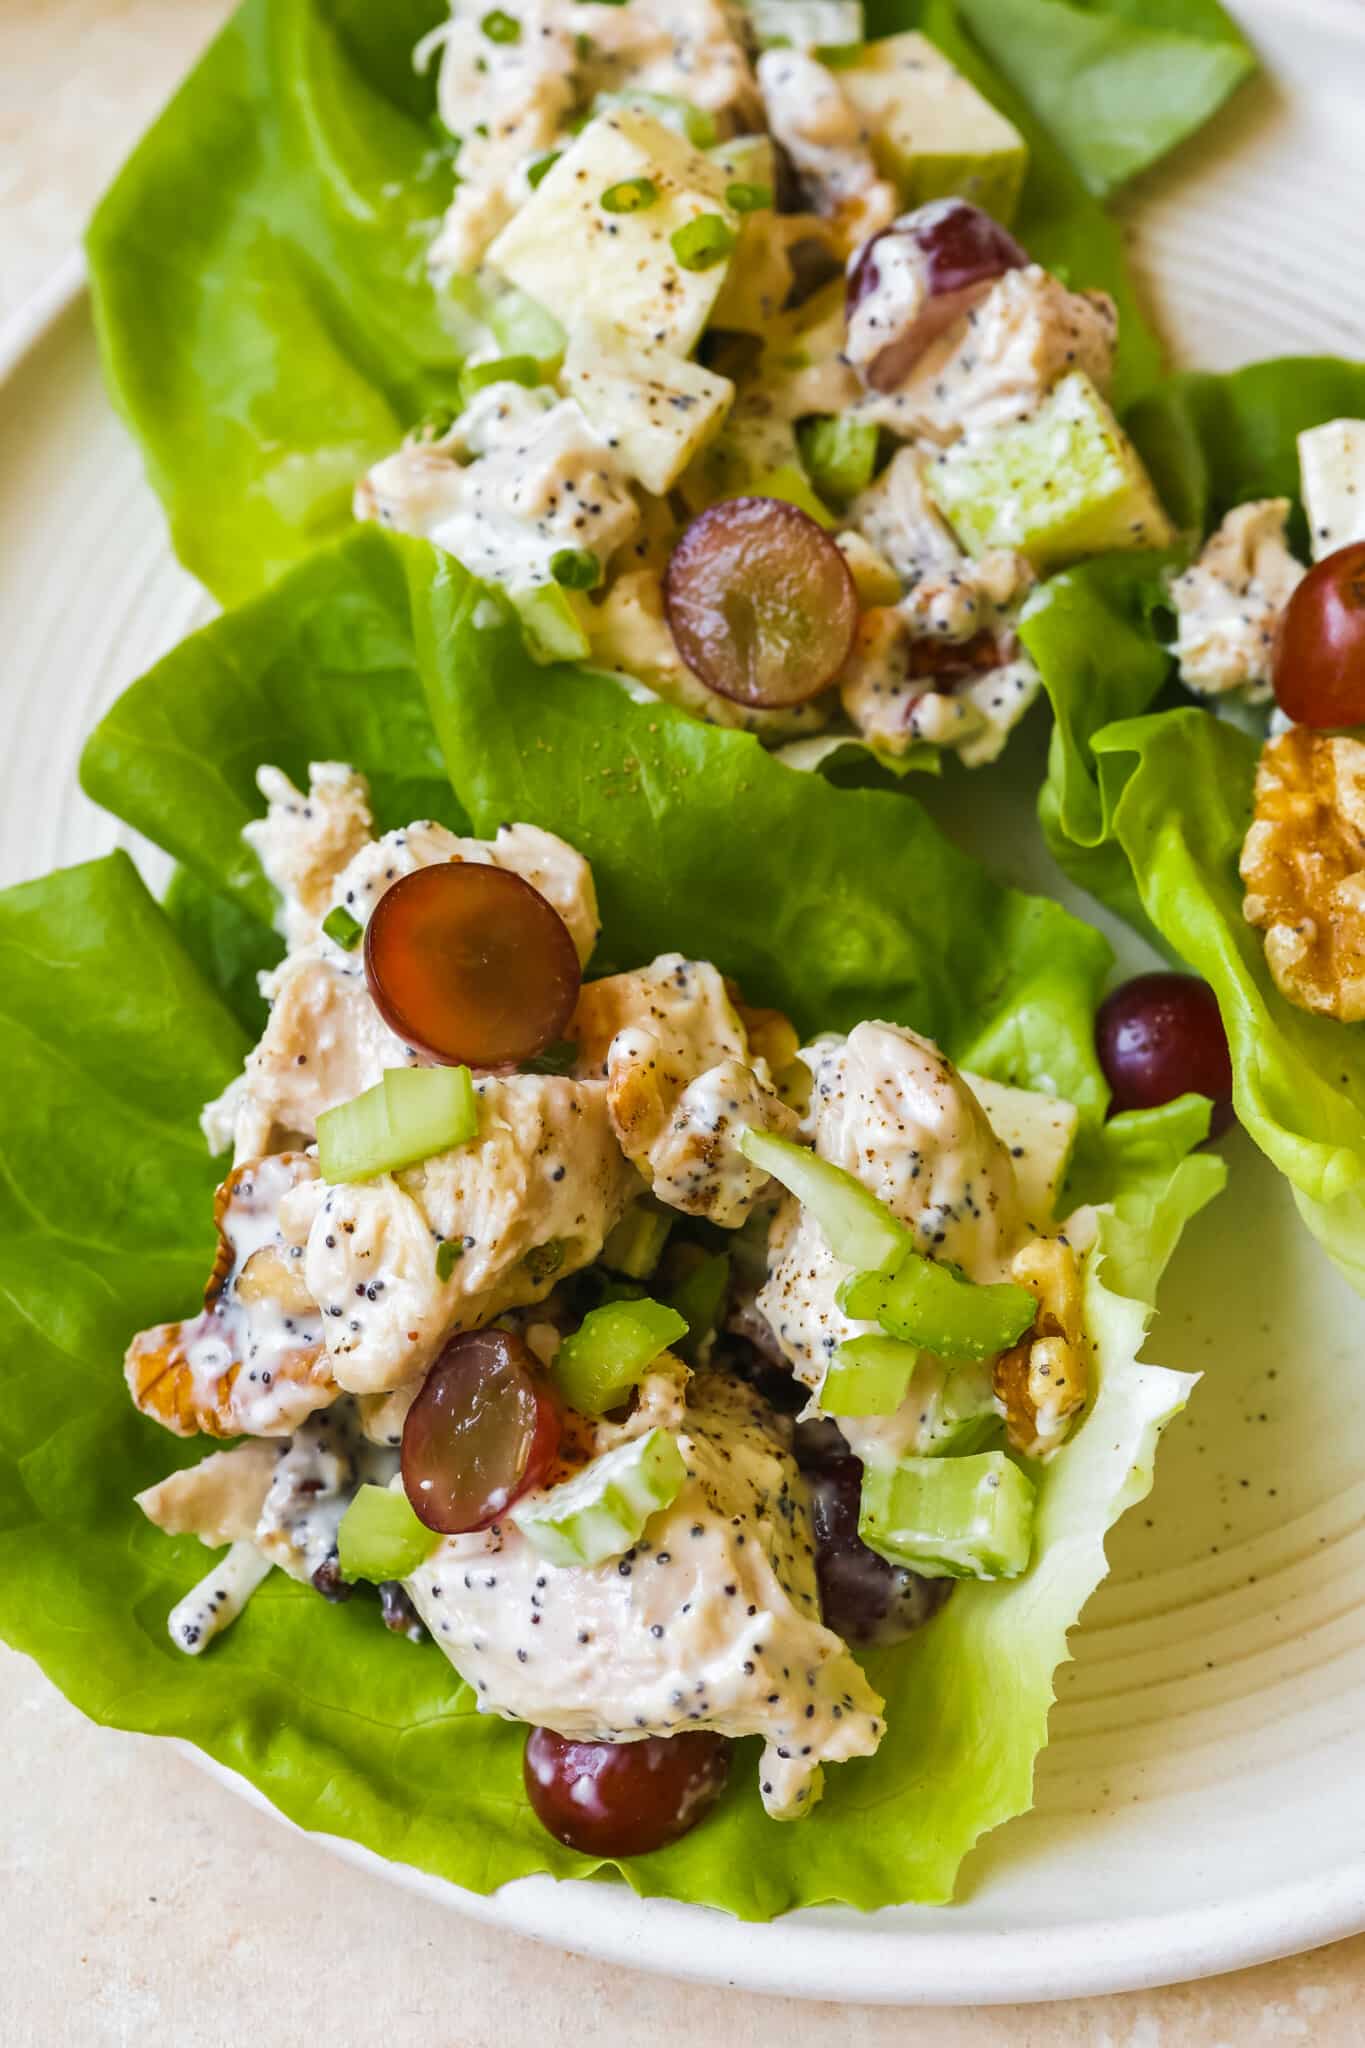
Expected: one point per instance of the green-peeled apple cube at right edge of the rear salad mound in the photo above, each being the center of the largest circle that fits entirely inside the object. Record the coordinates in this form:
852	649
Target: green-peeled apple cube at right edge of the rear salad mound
1055	486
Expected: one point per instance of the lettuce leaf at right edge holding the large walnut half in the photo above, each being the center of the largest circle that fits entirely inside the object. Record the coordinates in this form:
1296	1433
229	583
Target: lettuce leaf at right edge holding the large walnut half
1149	814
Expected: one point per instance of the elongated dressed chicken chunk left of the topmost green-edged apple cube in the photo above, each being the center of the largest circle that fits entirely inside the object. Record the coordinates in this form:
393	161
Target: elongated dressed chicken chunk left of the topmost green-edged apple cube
826	138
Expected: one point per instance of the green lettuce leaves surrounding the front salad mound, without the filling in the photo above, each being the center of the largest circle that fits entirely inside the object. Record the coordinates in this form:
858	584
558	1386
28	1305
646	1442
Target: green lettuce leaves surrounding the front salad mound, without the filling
836	902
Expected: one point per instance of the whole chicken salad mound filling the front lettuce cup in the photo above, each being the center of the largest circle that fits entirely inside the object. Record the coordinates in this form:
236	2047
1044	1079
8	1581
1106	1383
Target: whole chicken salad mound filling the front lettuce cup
637	1355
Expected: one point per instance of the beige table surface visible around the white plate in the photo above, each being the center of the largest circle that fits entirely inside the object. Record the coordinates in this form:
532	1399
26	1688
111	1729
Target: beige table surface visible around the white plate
140	1904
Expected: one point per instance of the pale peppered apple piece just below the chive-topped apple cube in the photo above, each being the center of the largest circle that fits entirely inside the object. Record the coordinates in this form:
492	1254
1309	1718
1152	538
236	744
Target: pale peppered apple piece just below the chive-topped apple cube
656	409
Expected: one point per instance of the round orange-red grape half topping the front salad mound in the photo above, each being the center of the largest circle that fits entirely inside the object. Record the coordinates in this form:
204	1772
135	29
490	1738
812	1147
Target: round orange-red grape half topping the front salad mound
472	966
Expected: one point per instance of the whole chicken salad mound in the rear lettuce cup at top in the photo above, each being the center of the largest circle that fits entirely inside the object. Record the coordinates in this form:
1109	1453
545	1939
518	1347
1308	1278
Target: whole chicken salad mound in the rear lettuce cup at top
764	407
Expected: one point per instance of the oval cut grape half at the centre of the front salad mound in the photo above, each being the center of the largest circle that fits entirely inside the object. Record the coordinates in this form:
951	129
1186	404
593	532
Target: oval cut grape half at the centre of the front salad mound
484	1431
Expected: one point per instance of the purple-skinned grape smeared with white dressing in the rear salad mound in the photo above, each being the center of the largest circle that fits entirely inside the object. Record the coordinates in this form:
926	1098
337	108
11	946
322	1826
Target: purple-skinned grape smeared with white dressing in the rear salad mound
916	278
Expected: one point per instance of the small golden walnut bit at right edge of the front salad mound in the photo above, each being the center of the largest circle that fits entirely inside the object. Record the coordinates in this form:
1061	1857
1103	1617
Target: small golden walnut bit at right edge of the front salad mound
1043	1381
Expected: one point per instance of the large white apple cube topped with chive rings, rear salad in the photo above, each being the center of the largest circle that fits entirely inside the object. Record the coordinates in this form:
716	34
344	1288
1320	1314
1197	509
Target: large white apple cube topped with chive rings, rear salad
570	251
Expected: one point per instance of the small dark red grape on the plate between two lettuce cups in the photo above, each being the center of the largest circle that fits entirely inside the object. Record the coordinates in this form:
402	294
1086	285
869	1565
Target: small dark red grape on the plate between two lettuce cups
1161	1037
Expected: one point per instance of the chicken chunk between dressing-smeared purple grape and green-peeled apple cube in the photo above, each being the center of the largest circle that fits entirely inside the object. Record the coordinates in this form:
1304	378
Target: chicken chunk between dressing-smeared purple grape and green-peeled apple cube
1002	359
